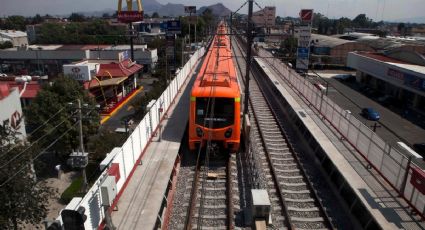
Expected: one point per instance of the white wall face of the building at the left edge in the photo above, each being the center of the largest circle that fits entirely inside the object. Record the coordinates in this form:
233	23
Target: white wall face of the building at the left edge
9	106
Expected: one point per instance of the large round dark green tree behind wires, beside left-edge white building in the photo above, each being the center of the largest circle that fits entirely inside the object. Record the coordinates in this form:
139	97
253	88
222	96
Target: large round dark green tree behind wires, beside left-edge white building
54	99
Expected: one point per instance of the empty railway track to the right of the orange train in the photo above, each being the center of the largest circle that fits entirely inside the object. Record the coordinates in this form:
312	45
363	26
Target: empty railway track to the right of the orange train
295	203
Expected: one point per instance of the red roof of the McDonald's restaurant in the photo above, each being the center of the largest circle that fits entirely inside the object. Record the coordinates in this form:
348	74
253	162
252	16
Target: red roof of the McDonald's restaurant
123	69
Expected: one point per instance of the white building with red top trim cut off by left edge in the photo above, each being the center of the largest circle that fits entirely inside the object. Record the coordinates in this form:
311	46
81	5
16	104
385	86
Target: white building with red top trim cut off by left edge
11	111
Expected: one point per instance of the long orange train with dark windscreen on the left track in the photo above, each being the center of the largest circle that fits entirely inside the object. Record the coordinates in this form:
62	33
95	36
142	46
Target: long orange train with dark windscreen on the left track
215	100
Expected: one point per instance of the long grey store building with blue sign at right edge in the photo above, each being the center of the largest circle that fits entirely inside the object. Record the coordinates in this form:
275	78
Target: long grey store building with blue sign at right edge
402	80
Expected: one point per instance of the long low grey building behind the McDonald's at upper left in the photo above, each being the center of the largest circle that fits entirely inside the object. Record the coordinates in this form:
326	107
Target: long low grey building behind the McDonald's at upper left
49	59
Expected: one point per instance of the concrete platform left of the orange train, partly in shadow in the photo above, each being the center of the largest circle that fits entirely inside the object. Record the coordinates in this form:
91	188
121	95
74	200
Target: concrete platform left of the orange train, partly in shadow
141	201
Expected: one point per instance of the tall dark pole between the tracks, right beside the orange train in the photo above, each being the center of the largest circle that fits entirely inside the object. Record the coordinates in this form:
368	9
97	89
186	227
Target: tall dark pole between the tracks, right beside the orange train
248	57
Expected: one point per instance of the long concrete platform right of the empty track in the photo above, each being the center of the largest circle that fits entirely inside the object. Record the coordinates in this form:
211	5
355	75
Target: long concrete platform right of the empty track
388	210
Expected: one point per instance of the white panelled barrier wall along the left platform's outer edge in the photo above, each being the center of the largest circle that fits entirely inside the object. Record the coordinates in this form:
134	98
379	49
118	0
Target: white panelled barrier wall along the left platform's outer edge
130	153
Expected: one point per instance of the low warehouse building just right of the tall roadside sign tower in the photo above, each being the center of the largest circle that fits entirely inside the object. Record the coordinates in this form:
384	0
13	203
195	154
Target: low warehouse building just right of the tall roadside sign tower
332	50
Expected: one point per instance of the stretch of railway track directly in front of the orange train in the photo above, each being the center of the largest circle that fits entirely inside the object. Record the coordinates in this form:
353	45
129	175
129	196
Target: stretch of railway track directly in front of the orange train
211	203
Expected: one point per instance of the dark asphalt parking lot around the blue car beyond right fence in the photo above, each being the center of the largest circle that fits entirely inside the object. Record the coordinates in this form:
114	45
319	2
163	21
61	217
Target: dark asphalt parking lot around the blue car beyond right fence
392	127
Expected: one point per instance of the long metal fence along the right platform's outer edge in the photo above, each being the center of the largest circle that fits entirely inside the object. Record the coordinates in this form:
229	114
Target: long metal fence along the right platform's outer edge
396	168
